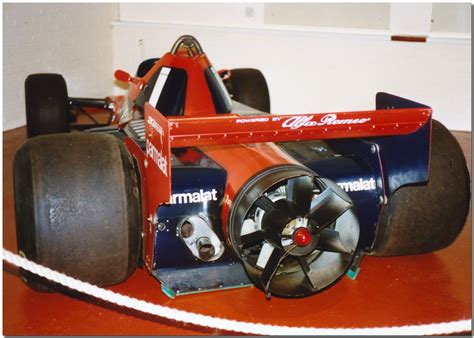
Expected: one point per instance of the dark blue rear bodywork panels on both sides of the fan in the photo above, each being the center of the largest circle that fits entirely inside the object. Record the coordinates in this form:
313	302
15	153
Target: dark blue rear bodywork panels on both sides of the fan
370	170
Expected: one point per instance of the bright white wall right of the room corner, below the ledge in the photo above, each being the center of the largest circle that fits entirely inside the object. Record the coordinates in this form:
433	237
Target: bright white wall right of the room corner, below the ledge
316	70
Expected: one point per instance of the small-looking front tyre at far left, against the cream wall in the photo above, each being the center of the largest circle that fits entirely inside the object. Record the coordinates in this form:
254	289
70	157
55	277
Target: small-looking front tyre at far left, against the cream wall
47	104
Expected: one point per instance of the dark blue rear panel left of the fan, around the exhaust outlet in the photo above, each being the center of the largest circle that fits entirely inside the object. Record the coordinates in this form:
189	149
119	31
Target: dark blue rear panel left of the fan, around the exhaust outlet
197	190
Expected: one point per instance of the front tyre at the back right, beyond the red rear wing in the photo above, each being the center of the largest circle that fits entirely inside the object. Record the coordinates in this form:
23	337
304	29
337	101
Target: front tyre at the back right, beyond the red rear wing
248	86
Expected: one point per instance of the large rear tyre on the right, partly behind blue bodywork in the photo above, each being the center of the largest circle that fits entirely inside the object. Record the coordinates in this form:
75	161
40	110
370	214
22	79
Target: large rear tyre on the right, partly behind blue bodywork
428	217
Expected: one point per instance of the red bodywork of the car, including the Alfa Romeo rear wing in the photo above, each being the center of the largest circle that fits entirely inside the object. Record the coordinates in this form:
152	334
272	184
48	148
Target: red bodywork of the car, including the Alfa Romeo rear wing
231	139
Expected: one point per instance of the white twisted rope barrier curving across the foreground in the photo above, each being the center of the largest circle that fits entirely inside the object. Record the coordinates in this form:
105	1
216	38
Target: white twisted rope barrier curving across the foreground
226	324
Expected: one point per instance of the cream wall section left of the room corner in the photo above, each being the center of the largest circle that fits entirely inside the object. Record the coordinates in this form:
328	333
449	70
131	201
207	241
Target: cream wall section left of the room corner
72	39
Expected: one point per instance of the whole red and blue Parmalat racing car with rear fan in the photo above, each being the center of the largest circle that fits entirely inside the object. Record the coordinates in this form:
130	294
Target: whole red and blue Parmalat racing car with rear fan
195	181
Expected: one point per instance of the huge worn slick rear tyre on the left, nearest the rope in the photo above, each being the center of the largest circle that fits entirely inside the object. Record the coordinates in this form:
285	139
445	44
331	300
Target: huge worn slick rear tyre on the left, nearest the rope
77	207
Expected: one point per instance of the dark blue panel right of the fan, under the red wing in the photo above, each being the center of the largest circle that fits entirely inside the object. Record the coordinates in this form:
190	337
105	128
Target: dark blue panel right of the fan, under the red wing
369	170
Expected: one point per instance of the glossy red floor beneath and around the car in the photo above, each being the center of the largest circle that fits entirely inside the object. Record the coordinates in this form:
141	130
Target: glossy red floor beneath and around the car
395	291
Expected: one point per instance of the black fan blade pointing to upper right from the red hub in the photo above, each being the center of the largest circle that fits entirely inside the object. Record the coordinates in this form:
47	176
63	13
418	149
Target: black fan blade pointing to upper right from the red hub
329	206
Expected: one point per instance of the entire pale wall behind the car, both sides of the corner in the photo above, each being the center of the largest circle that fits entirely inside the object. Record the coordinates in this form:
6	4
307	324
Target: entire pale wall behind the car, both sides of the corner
308	68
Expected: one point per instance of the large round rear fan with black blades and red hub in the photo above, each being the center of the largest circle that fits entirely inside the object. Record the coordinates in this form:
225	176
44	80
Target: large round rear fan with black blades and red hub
298	237
